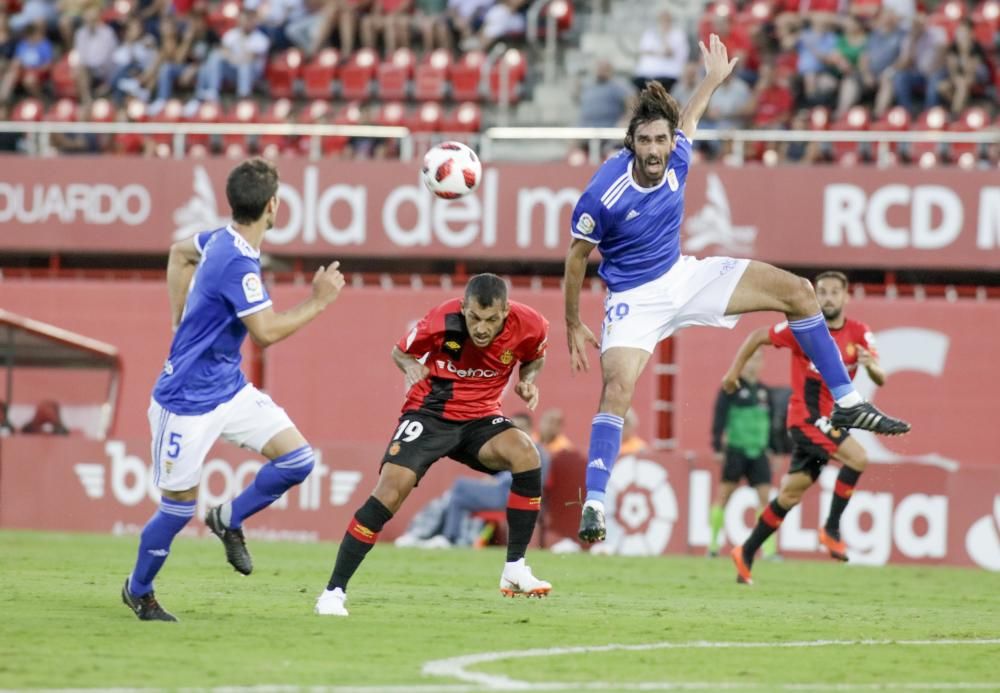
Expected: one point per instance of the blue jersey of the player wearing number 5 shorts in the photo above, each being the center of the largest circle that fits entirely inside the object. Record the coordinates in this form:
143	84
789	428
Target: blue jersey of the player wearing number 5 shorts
203	369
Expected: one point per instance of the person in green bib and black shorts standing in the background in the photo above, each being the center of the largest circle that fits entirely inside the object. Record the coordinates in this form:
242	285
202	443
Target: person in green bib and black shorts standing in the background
741	435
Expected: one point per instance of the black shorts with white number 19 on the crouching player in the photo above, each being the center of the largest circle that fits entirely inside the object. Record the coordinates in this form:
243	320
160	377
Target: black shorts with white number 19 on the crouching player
422	439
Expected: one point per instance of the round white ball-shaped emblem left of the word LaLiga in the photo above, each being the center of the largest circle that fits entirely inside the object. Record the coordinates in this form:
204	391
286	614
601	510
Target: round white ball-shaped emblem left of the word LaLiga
641	499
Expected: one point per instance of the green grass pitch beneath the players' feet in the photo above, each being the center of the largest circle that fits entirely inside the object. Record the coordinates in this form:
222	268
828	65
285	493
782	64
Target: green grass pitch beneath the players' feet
62	624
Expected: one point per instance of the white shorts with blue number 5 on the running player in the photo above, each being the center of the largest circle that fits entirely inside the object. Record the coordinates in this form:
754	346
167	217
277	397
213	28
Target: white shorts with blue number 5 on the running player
180	443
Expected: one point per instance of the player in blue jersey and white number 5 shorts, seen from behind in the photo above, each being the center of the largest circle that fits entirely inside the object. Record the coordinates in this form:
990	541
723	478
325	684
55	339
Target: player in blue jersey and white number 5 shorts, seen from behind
216	298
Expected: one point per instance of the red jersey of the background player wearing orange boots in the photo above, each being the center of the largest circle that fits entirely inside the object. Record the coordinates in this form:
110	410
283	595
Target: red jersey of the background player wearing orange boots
811	398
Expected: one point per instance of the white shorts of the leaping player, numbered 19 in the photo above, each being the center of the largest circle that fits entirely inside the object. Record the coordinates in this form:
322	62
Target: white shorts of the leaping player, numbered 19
692	292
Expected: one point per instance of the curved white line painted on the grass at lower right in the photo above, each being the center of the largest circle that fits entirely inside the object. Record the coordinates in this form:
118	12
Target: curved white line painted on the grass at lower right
455	667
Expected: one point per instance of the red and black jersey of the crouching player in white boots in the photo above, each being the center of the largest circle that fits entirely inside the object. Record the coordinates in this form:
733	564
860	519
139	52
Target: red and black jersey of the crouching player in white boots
466	382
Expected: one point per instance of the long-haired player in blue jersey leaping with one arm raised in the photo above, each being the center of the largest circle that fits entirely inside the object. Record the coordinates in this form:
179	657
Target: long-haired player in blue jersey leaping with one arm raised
632	210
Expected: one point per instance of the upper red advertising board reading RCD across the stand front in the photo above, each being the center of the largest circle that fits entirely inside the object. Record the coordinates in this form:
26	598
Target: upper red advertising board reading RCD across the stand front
793	215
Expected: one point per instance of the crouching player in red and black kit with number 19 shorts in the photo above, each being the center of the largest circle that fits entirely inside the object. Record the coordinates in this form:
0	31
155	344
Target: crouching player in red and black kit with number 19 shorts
456	363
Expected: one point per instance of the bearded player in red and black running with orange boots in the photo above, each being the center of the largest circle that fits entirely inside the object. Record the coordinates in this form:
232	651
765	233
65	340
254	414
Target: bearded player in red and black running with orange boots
815	440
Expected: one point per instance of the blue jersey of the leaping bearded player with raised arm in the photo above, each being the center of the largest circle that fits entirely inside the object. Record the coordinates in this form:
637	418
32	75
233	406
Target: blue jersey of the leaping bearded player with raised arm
636	229
